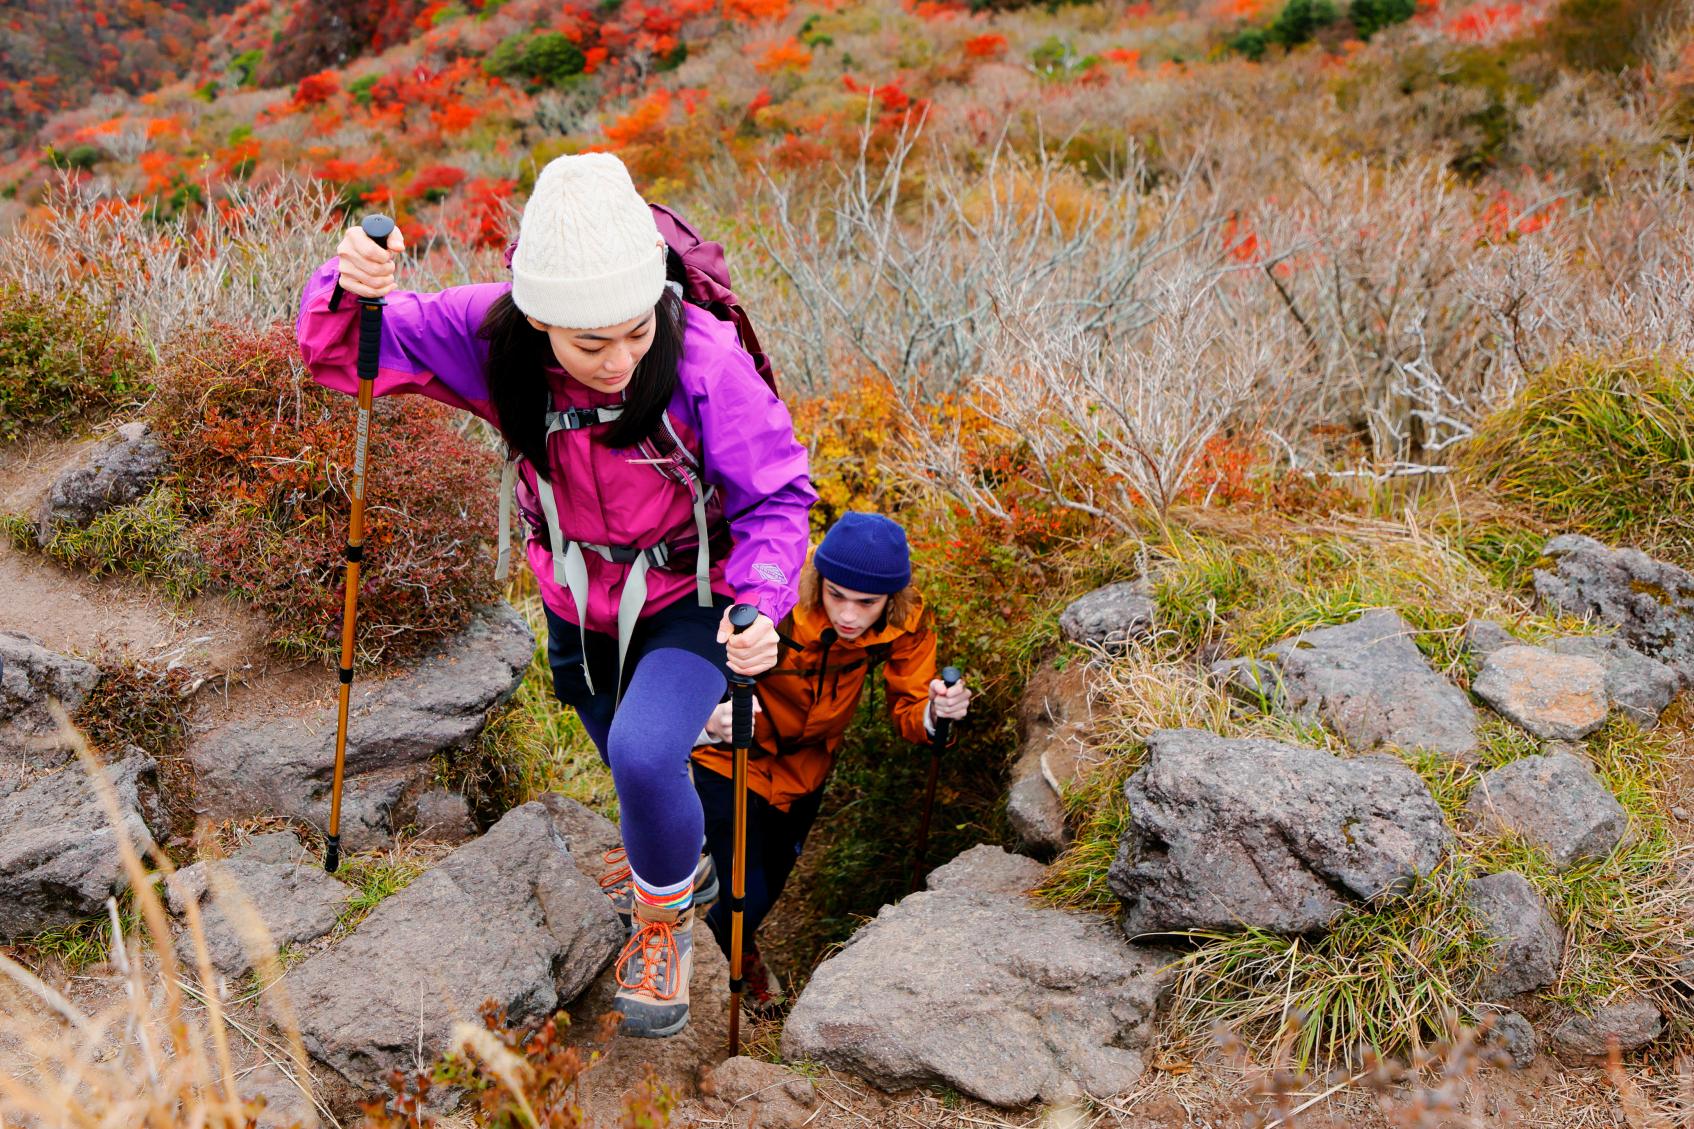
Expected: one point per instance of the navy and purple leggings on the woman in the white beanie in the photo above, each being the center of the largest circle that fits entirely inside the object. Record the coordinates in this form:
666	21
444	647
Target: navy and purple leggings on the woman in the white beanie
677	677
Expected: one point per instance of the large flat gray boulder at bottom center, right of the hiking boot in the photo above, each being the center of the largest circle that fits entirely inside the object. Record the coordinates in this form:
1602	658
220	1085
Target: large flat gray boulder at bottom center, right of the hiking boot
999	999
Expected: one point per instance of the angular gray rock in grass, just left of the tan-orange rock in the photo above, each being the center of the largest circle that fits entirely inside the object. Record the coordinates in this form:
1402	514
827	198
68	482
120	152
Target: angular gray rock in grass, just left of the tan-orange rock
1371	684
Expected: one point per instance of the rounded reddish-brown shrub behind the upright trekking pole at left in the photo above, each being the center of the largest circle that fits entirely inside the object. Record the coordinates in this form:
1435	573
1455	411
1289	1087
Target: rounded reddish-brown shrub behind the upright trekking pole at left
263	469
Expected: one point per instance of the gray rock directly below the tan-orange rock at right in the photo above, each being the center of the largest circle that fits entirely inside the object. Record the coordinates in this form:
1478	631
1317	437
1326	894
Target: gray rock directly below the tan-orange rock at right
1556	803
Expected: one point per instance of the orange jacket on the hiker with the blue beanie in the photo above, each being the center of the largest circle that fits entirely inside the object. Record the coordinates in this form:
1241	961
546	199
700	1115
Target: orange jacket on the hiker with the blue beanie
812	692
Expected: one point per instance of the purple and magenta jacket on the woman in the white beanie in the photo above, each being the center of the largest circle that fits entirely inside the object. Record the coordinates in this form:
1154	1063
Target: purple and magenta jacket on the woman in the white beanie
722	411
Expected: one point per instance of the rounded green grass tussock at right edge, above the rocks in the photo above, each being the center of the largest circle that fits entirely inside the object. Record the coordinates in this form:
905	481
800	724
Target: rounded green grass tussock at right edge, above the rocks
1602	447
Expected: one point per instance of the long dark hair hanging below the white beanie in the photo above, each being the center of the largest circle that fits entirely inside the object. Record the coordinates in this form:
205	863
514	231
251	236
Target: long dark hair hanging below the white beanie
519	353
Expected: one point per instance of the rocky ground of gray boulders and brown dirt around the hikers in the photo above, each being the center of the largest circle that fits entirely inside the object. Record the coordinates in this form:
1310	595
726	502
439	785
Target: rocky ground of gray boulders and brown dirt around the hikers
968	1003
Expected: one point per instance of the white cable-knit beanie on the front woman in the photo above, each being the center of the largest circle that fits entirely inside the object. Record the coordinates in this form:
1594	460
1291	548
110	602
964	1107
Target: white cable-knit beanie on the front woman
589	252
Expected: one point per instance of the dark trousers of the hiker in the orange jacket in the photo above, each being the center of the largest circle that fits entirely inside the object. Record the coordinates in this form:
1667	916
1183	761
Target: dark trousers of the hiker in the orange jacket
775	840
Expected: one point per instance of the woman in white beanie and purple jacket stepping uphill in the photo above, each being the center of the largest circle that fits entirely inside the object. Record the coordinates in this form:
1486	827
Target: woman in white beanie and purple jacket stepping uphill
641	428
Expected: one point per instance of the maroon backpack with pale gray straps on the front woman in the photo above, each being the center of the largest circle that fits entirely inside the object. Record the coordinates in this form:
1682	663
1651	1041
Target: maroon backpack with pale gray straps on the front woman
706	284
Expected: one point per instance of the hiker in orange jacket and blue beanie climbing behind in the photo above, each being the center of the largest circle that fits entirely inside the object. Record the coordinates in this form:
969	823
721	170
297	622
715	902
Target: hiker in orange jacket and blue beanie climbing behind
856	609
